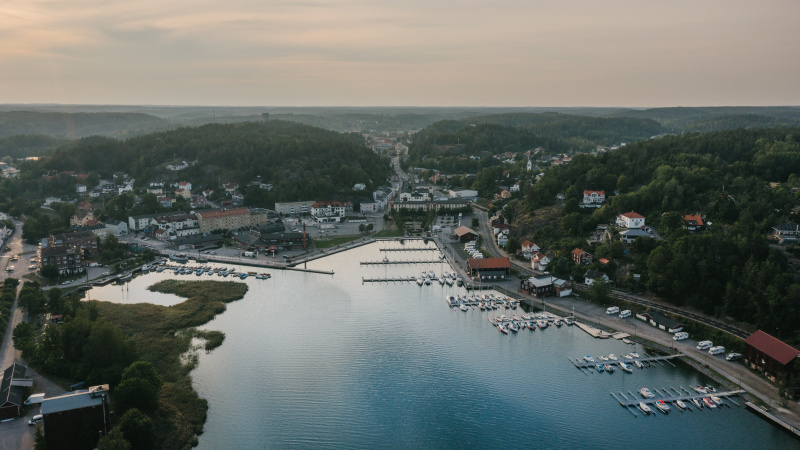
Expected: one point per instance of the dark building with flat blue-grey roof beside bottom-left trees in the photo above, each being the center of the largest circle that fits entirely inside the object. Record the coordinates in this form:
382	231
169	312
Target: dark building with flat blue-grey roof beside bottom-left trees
71	417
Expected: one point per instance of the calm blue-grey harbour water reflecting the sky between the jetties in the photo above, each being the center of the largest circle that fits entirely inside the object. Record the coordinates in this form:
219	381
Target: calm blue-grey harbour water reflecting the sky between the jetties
324	361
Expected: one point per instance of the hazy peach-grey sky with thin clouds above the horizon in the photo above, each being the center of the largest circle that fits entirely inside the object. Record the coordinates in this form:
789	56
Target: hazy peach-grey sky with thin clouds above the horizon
403	52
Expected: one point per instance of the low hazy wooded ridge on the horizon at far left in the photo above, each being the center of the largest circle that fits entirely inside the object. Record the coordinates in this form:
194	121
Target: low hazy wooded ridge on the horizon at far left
76	125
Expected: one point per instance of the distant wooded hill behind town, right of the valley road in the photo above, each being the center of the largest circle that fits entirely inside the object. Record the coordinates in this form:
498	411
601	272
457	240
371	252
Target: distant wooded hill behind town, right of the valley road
444	145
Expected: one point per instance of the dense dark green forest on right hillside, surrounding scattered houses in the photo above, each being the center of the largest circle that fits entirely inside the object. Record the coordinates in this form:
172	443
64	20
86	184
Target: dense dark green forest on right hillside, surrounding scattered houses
730	269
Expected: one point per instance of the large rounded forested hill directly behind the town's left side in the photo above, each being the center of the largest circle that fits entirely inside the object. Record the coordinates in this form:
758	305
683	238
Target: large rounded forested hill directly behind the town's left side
299	160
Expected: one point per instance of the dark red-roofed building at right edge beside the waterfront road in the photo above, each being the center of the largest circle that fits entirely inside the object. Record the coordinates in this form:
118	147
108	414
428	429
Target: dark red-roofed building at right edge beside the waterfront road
769	355
